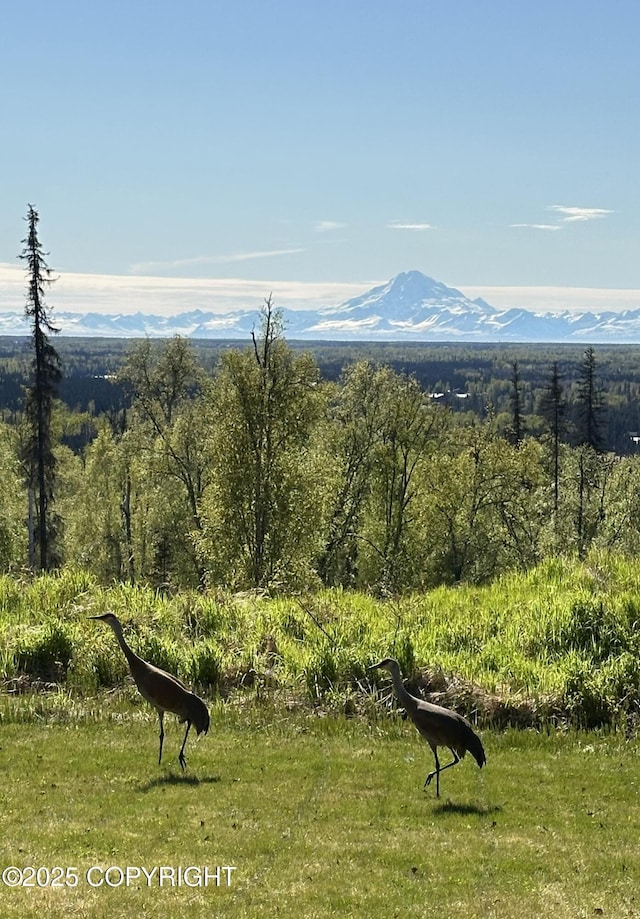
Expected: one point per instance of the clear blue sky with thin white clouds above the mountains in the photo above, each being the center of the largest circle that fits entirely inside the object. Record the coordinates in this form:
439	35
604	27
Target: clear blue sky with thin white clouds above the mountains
493	145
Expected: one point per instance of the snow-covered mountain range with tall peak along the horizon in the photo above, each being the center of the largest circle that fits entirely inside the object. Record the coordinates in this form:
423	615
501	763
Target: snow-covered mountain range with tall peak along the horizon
410	307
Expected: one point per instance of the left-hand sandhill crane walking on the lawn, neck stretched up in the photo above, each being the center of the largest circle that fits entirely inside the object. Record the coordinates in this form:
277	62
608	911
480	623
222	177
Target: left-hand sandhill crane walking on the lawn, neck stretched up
165	692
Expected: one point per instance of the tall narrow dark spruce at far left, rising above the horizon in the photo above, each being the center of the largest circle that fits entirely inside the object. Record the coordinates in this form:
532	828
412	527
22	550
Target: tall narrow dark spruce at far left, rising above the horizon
38	453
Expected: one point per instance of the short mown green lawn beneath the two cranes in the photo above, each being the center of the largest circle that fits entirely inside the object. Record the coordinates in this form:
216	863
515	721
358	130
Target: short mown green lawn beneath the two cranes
319	817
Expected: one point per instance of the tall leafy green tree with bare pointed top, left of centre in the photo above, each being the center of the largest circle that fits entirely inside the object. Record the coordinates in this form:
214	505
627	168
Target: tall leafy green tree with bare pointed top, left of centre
261	512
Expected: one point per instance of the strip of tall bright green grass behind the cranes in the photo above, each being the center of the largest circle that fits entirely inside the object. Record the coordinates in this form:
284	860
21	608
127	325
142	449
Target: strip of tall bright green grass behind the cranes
559	642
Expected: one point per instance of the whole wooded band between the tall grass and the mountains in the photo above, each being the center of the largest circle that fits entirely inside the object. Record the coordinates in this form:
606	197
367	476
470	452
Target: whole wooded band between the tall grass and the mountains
277	465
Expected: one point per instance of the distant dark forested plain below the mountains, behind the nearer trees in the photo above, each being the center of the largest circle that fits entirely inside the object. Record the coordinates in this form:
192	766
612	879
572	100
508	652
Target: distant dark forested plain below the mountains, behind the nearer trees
472	377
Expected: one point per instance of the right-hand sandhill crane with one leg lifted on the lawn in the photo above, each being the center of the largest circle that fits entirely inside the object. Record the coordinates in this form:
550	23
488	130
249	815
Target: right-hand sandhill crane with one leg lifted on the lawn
439	726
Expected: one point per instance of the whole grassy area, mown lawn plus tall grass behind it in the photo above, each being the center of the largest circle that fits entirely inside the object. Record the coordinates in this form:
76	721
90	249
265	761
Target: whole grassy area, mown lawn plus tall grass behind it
310	784
